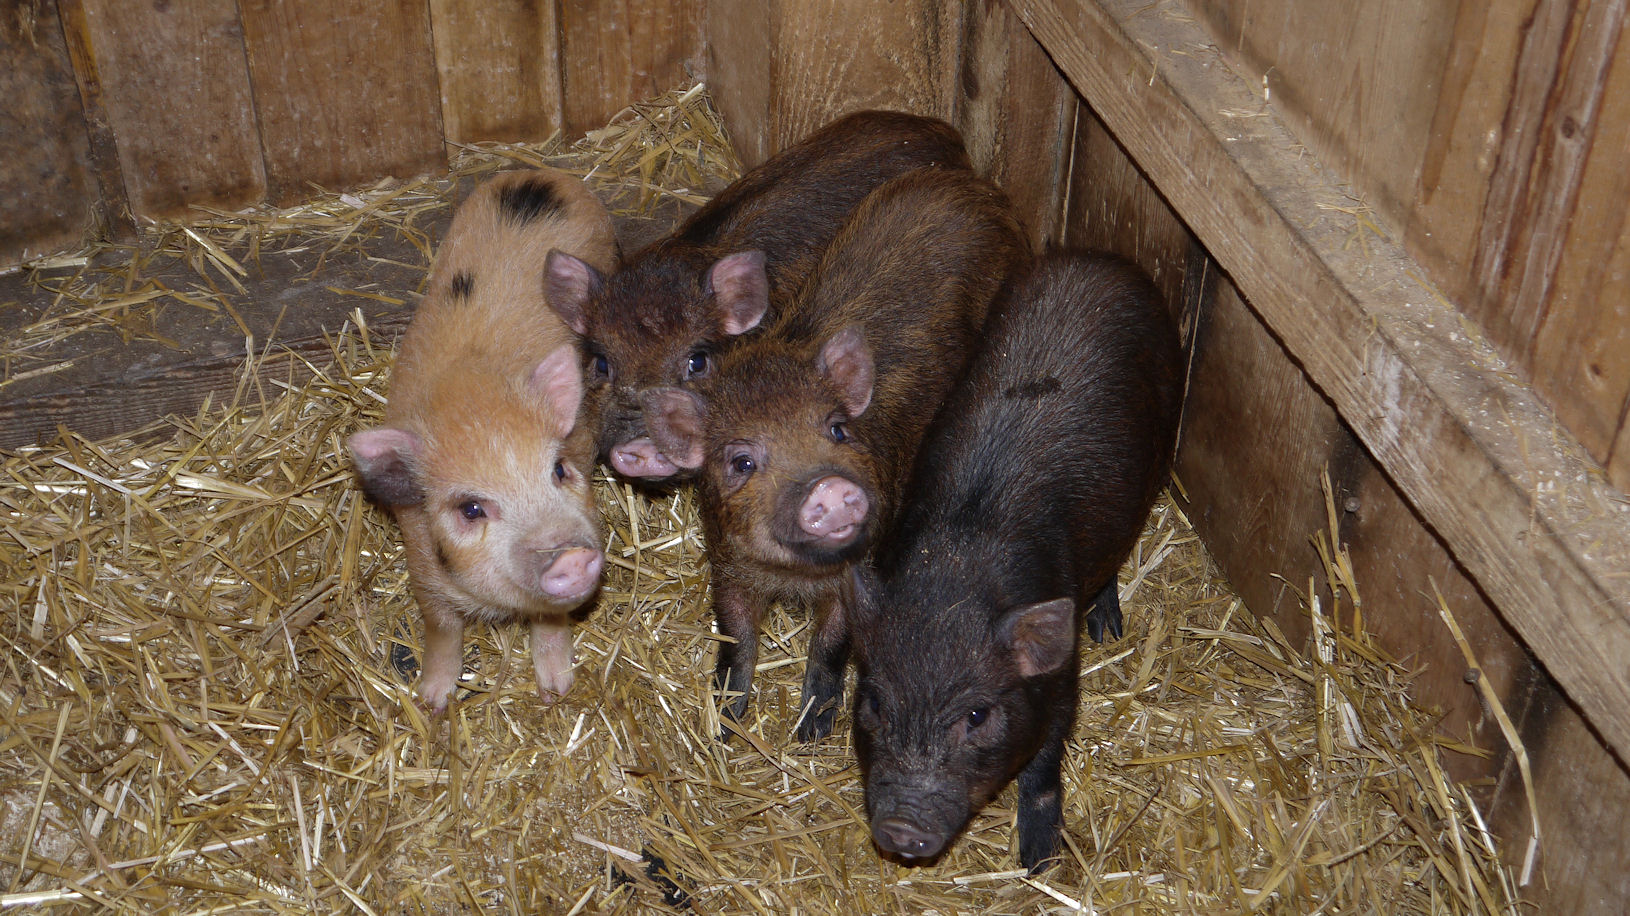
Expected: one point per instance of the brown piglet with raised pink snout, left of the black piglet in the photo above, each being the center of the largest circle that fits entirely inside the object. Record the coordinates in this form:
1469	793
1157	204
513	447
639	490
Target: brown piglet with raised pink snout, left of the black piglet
804	433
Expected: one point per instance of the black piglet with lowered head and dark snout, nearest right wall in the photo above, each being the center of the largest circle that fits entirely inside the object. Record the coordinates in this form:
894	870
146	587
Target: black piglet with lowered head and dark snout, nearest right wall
1028	496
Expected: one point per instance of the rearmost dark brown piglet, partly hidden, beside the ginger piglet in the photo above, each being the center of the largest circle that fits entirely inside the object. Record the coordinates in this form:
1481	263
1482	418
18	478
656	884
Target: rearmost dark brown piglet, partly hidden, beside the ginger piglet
667	314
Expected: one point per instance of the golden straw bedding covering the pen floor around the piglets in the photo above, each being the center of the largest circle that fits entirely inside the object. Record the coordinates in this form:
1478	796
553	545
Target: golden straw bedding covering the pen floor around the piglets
209	651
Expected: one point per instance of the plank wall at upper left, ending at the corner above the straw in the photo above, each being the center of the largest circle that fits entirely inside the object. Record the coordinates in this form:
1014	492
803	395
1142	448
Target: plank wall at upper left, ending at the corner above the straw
118	110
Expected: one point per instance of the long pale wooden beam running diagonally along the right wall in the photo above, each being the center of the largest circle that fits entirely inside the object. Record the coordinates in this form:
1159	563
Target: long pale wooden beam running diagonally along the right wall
1484	462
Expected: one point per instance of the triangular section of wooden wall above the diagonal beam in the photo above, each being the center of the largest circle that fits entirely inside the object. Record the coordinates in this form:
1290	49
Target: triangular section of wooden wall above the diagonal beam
1491	138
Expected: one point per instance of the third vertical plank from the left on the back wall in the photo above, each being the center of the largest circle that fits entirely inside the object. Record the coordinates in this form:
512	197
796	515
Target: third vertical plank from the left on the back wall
346	92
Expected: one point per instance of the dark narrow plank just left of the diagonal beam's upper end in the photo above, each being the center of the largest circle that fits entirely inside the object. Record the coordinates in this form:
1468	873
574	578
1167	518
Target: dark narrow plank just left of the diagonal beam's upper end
1016	113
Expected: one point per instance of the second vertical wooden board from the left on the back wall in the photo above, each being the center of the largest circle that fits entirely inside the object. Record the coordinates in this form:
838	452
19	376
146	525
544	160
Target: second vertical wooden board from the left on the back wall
177	97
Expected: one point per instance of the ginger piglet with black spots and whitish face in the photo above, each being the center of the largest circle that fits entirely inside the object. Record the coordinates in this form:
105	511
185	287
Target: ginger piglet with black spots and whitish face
482	457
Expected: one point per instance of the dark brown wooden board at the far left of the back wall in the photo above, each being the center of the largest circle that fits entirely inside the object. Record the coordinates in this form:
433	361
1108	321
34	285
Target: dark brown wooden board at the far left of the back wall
48	187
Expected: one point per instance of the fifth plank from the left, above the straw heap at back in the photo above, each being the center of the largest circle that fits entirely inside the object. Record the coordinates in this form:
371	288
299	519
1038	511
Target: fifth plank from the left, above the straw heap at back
623	51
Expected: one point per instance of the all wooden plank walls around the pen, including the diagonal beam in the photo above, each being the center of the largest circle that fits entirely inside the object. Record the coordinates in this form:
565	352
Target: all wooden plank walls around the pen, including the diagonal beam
1478	148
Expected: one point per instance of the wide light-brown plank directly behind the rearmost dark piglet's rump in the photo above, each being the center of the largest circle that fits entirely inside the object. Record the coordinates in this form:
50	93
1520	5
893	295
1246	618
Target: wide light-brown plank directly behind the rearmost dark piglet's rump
840	56
